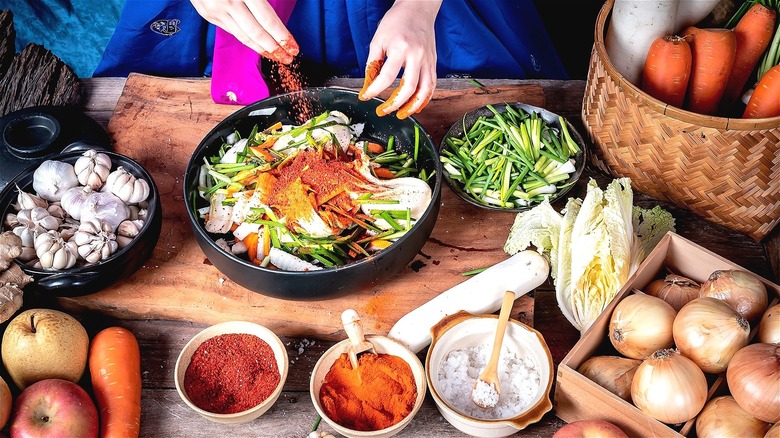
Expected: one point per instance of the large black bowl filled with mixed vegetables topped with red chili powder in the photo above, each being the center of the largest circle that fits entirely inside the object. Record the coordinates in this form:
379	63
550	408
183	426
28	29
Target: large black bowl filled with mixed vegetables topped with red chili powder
274	200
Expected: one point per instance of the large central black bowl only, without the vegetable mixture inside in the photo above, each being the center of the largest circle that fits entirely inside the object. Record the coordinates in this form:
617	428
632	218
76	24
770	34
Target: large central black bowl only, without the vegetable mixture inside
331	282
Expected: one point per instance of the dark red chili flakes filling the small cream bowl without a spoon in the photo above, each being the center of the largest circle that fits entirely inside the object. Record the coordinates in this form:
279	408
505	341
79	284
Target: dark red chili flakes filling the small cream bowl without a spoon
231	373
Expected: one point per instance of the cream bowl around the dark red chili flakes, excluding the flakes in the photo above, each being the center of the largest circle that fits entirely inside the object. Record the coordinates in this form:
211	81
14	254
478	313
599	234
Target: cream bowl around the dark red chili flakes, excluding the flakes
236	327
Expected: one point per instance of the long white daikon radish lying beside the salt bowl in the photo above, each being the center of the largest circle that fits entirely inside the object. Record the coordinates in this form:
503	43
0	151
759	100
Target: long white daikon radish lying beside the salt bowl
482	293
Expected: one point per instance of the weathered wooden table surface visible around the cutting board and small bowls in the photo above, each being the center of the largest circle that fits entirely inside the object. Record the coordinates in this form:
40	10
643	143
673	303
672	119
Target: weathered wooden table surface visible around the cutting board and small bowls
165	415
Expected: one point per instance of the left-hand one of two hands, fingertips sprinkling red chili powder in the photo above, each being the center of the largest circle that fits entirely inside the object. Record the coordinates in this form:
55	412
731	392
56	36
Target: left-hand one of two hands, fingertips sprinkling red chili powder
253	22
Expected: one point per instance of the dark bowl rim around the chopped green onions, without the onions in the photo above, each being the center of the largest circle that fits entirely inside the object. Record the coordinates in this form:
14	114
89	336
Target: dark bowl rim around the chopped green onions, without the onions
467	121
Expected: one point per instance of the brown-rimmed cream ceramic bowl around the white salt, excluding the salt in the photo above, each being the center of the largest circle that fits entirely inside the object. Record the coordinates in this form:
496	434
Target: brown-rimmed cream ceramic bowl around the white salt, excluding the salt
463	330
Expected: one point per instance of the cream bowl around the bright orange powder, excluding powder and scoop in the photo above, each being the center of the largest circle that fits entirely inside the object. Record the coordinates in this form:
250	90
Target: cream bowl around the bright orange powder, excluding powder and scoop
382	344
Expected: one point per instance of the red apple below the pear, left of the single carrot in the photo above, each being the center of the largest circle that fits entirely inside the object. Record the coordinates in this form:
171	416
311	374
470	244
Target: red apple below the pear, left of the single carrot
54	408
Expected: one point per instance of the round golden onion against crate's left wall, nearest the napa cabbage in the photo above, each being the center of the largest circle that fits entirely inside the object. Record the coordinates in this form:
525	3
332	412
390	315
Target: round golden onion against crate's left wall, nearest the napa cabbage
641	324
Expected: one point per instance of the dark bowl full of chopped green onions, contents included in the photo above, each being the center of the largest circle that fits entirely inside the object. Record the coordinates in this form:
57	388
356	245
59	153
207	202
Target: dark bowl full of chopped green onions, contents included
510	157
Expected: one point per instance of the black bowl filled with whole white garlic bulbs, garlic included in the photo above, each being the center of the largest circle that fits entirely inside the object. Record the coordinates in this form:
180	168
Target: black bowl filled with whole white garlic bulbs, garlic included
86	219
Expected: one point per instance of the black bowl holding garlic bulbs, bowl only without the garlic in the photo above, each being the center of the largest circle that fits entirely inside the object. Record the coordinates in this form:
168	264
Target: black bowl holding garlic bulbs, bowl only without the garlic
85	280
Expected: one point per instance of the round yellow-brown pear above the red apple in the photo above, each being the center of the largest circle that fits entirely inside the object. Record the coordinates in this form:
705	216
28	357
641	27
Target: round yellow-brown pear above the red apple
43	344
